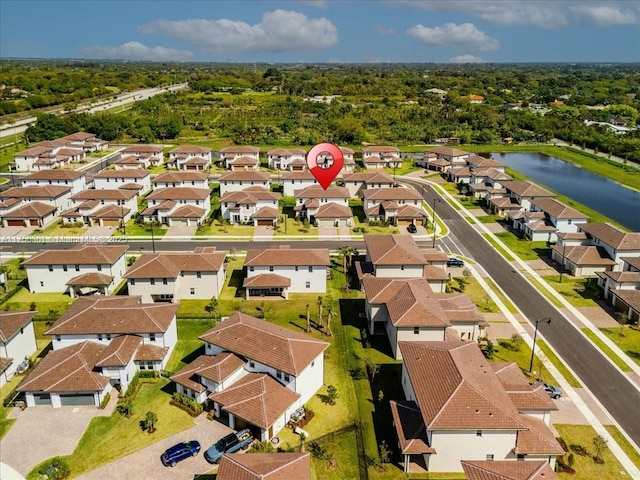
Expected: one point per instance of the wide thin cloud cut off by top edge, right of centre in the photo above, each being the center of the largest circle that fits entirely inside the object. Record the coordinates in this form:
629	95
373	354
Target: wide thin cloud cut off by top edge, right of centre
539	13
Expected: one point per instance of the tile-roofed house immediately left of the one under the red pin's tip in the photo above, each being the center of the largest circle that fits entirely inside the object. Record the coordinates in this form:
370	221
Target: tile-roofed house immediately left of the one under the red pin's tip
254	205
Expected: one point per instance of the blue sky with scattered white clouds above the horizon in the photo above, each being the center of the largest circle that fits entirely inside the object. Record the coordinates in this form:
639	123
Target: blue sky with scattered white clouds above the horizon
450	31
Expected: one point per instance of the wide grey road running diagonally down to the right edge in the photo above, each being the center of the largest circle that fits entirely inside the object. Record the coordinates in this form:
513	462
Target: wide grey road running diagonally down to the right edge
612	388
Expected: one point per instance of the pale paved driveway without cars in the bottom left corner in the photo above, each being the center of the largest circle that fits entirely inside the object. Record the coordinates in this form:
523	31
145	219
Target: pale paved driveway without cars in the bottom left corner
44	432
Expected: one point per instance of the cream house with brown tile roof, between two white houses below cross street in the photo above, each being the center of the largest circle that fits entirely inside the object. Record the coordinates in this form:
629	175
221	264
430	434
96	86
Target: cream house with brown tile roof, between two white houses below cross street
171	277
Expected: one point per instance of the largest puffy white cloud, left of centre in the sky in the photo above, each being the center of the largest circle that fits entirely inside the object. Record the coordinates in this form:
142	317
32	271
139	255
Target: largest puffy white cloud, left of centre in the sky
279	31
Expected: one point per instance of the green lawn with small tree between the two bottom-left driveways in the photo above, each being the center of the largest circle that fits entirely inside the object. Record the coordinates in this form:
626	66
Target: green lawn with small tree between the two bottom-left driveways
109	438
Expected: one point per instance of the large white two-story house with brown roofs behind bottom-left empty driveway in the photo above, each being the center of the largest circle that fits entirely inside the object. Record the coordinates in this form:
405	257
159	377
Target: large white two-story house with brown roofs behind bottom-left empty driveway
100	342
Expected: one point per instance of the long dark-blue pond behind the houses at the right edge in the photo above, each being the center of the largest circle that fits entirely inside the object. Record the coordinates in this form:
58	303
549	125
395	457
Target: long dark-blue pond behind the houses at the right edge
592	190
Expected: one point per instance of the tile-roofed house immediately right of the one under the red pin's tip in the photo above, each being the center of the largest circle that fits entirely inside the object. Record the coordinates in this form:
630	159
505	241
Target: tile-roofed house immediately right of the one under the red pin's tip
396	206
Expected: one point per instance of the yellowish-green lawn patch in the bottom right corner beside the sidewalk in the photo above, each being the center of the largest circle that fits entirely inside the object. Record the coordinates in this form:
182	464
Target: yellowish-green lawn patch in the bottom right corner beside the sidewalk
585	467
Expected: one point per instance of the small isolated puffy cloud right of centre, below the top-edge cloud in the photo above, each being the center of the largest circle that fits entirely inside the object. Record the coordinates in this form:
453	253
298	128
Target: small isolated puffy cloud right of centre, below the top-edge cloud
464	37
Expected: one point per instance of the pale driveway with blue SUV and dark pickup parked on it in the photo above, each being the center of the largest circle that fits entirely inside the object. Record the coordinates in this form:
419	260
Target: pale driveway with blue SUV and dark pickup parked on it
146	463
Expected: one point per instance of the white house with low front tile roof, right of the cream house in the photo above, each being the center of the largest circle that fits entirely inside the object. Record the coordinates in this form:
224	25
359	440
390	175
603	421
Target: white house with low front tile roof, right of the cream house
284	270
